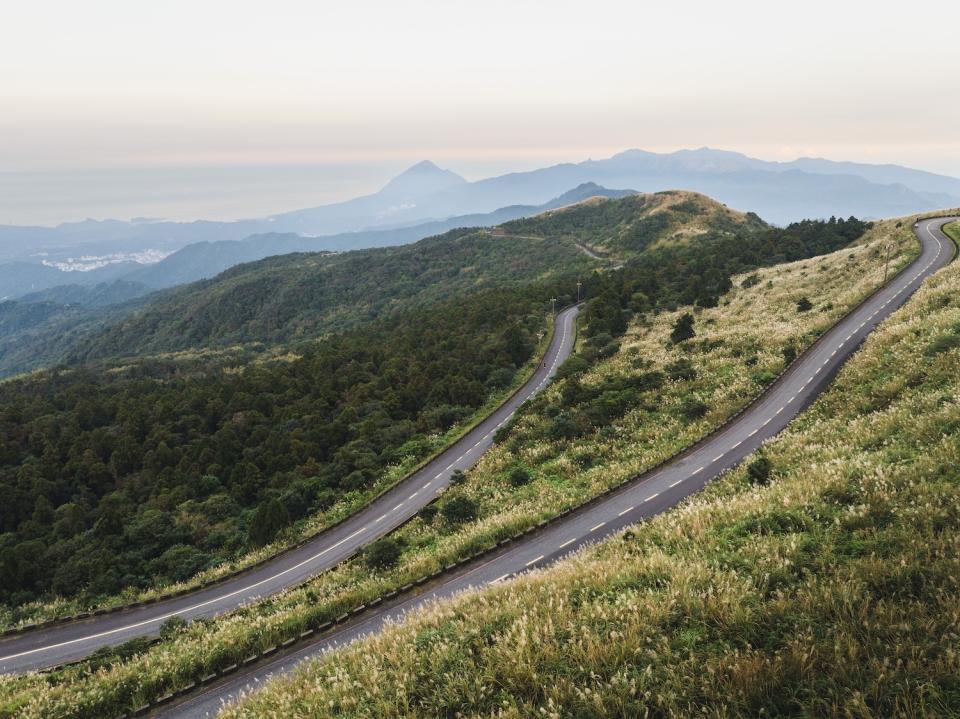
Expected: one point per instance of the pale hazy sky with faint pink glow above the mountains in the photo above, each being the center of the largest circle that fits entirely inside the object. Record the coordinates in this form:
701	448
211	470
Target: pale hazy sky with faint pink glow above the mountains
178	106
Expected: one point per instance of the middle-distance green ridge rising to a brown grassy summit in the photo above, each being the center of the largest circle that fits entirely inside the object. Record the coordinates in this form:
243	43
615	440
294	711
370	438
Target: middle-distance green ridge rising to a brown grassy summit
298	296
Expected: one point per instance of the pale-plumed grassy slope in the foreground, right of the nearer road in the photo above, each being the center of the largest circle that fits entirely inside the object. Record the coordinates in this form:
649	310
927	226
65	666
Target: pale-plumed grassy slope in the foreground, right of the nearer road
828	589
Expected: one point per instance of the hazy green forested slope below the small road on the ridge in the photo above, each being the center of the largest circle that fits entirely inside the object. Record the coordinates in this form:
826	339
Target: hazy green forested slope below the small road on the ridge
298	296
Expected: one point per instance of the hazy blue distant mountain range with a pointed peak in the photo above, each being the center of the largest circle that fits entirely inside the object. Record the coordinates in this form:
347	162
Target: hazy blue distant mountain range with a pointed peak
426	199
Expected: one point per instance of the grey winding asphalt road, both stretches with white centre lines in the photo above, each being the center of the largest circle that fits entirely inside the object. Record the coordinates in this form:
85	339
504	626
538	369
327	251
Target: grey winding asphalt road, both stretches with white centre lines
647	495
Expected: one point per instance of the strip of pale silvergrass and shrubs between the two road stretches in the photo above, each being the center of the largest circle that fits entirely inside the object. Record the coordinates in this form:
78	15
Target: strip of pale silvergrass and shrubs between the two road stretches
737	342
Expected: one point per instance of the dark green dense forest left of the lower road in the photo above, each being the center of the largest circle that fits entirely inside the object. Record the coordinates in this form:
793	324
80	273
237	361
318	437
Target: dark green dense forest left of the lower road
114	478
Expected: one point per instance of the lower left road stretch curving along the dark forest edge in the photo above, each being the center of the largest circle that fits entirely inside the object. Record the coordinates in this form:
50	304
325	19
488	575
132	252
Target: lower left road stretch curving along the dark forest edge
67	642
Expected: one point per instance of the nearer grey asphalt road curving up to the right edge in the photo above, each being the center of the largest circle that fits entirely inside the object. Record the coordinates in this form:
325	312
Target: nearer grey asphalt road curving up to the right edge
650	494
